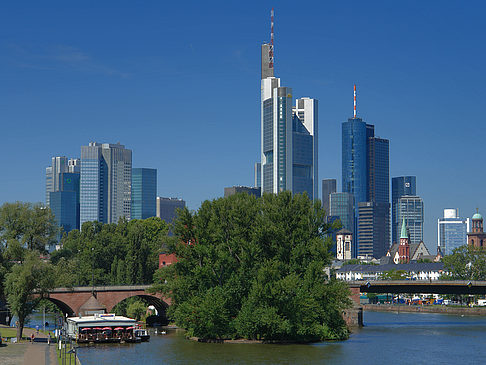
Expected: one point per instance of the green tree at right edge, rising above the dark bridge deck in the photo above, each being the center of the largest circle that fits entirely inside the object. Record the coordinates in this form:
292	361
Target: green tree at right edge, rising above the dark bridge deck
466	263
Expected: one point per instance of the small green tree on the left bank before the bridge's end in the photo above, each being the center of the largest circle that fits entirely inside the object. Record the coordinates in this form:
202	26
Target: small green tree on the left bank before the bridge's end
25	285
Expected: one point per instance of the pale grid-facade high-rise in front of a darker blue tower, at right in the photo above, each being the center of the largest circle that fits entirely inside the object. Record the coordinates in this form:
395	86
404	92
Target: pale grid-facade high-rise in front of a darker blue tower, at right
411	209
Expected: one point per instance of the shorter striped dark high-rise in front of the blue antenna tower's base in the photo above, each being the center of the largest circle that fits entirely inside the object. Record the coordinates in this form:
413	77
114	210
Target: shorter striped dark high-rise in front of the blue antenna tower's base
373	229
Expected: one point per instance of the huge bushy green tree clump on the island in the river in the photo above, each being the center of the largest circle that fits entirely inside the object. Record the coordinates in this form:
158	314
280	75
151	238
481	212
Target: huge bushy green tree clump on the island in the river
253	268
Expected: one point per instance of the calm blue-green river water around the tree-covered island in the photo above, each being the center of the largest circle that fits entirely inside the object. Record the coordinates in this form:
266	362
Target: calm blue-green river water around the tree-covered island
387	338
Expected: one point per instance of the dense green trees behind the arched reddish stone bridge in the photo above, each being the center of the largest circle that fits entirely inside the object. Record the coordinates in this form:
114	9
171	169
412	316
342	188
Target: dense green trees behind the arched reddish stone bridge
111	254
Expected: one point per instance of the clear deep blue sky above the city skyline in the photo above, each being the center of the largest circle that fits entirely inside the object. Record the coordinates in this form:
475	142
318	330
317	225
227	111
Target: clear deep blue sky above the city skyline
179	84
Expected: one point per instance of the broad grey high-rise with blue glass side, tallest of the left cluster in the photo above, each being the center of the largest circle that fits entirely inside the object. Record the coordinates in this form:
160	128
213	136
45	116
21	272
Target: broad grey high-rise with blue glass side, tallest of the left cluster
106	179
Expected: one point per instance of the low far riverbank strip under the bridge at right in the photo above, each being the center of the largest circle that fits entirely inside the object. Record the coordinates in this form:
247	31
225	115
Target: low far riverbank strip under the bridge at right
466	311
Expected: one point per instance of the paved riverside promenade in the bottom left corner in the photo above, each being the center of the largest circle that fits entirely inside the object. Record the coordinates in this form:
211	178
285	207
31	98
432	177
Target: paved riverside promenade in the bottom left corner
25	352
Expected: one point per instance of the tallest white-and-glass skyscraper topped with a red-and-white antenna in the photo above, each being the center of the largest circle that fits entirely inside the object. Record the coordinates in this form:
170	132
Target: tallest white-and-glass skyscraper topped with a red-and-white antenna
289	135
